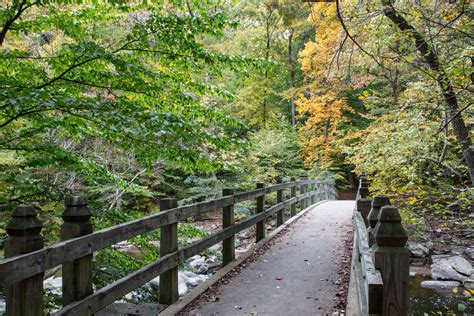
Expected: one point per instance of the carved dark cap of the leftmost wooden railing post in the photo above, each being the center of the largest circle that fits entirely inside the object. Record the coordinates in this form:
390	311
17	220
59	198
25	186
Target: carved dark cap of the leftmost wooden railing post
24	222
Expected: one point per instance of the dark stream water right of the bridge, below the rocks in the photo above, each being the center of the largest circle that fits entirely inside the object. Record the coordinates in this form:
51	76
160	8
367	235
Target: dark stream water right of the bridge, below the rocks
429	302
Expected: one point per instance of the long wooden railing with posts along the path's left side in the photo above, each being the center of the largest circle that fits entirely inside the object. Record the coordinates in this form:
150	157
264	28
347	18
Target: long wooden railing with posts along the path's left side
21	273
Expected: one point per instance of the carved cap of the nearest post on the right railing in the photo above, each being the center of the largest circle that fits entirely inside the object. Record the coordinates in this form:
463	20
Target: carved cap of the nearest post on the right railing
389	231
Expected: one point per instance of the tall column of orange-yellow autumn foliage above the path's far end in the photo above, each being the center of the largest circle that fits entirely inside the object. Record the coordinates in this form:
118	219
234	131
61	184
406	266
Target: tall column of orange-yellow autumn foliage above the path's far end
322	109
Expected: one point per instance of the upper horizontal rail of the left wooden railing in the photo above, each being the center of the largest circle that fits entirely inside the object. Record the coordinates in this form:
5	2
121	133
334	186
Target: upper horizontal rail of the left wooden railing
17	268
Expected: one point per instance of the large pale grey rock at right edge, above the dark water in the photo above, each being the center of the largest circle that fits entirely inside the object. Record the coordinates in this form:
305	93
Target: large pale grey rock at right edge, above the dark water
451	268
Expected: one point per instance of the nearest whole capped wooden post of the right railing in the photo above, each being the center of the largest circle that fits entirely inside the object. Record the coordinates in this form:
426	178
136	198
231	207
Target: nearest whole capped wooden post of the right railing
392	258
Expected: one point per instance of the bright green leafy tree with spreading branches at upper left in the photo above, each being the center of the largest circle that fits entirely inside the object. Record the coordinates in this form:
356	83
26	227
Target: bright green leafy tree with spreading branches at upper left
129	76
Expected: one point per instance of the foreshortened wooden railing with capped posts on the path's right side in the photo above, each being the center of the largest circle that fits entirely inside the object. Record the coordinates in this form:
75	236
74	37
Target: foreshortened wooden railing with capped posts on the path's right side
380	262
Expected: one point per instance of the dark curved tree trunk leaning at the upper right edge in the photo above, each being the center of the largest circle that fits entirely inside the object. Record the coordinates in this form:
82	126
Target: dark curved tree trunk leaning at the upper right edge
431	58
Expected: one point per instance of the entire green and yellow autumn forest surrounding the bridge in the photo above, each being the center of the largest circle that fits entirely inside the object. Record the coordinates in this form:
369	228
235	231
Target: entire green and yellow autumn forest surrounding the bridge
126	102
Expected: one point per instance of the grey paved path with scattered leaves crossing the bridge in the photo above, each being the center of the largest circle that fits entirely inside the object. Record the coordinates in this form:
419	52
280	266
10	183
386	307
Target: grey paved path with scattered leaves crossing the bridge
297	275
